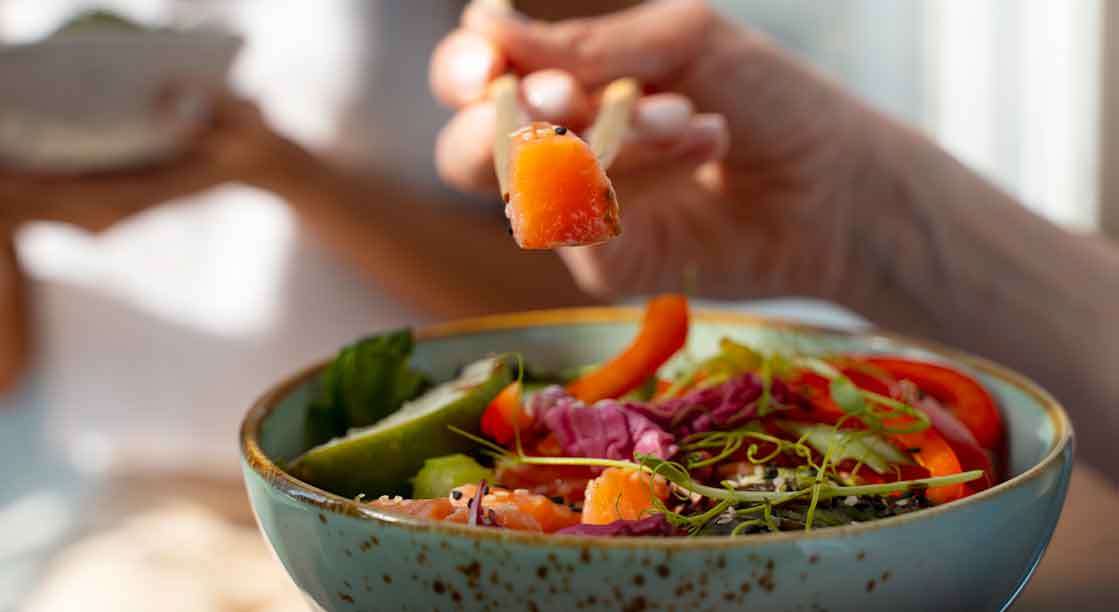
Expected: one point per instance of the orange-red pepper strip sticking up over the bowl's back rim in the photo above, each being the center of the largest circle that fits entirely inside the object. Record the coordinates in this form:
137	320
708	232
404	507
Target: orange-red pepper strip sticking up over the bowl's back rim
664	332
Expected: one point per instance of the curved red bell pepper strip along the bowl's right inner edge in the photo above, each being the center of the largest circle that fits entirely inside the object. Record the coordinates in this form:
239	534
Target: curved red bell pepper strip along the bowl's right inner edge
960	393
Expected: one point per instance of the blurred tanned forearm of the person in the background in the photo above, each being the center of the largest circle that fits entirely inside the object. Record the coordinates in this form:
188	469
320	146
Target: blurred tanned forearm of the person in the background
444	263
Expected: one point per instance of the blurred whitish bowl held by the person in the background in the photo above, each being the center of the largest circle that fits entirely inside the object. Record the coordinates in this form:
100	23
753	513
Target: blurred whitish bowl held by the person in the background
87	101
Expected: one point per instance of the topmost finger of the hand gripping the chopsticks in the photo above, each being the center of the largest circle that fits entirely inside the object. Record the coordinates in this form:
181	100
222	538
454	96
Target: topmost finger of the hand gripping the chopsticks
652	42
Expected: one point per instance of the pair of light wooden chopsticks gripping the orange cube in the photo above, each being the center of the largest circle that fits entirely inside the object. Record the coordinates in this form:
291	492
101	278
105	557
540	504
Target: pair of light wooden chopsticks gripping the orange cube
605	137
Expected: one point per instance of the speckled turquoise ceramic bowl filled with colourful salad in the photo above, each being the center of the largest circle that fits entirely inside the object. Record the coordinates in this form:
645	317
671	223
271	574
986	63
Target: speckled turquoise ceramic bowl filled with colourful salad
626	459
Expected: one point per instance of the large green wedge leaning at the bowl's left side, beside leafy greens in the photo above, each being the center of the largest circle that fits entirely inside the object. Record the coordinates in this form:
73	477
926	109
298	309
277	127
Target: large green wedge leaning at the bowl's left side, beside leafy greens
381	459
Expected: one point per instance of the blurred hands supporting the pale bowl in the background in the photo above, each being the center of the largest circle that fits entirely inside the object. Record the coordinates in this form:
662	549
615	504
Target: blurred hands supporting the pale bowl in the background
233	144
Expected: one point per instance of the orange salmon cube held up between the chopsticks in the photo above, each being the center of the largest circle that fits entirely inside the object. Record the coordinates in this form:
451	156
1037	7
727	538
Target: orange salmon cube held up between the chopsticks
559	194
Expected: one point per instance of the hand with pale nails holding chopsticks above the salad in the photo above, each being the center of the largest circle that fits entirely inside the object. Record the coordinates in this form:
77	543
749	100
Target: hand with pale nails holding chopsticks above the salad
744	170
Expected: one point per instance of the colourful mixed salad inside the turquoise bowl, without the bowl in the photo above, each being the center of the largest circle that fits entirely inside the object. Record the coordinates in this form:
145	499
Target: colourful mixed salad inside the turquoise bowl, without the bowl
735	444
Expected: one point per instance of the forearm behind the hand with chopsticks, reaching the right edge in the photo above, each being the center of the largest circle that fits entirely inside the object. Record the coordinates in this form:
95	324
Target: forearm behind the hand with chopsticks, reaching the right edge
949	257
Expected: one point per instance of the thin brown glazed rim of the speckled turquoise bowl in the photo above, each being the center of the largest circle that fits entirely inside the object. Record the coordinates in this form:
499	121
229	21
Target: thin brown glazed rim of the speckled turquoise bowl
318	500
